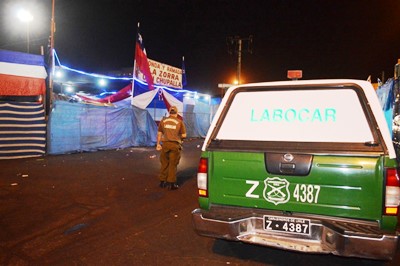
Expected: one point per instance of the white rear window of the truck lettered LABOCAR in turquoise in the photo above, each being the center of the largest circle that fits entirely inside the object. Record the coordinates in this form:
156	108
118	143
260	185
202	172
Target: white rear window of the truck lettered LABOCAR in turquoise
297	115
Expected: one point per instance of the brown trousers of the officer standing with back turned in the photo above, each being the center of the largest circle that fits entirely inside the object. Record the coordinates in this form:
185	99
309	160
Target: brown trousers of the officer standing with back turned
169	158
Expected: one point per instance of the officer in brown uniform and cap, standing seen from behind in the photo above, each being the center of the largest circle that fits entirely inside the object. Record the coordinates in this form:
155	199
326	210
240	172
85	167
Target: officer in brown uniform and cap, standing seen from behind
171	131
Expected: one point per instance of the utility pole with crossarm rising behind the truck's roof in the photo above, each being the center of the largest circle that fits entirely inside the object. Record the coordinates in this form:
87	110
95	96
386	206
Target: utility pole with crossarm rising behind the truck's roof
235	45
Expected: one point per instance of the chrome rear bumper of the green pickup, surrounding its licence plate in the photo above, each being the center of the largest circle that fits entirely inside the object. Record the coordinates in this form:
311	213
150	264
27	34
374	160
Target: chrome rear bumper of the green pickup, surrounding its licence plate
343	237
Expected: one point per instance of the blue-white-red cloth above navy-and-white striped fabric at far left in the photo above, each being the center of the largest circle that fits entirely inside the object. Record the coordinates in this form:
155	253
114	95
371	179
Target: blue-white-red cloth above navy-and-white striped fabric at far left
22	124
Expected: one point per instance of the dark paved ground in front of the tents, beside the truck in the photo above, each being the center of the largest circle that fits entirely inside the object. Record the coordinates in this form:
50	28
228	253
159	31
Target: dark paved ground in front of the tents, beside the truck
105	208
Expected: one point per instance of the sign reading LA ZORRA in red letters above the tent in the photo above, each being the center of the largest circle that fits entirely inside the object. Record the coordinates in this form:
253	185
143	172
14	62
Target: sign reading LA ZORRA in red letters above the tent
163	75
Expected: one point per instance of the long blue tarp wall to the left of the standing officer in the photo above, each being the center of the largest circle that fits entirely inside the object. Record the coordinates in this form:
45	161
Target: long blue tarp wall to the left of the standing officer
77	127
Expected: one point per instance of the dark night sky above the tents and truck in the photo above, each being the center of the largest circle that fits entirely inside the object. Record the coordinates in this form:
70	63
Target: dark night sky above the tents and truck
325	39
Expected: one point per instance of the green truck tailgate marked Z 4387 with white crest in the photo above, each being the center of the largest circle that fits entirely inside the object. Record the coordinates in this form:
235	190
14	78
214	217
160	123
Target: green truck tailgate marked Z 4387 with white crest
335	185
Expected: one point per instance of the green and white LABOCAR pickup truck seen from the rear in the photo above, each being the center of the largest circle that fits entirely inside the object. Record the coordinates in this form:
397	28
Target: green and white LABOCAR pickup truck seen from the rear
304	165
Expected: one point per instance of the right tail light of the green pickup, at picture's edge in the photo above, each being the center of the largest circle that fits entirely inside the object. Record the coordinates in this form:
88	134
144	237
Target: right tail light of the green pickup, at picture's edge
392	195
